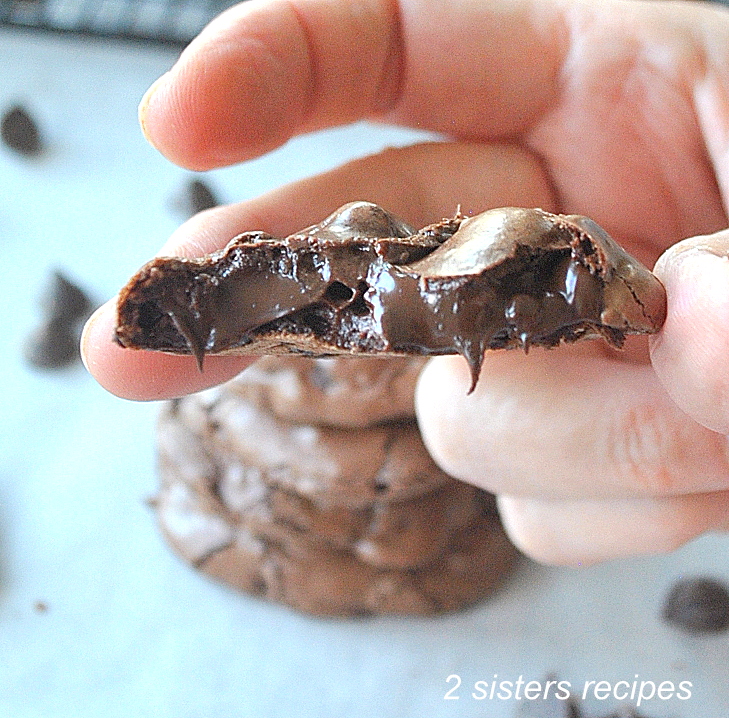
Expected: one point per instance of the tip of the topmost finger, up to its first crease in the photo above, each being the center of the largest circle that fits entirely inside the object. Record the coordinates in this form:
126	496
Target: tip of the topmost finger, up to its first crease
235	92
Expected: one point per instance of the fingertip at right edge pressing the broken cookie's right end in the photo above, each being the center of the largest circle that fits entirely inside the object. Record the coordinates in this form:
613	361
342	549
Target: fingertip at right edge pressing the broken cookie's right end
690	354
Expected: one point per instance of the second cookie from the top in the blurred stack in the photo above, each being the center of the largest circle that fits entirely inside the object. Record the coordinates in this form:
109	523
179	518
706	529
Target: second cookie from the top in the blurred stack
344	467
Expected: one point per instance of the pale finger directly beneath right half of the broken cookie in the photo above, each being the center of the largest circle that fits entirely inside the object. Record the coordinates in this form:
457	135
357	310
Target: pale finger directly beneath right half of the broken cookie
565	424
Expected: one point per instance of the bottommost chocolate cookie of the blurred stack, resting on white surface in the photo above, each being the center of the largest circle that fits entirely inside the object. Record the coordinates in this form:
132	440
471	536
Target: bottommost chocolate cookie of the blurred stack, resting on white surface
329	582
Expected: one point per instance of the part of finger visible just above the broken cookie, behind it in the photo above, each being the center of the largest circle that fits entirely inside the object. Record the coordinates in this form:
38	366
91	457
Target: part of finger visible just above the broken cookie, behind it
418	183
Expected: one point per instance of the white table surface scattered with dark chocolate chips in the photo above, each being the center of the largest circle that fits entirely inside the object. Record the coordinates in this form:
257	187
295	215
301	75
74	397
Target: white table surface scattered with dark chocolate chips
129	630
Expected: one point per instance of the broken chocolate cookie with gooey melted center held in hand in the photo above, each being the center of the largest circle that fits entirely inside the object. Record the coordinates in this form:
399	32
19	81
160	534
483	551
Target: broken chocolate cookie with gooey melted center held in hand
364	282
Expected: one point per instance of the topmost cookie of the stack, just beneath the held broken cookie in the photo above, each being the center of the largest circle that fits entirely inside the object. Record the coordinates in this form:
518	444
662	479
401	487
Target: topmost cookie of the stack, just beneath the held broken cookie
336	391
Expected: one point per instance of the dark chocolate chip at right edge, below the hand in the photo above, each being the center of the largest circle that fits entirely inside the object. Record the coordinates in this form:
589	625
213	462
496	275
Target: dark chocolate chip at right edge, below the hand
698	605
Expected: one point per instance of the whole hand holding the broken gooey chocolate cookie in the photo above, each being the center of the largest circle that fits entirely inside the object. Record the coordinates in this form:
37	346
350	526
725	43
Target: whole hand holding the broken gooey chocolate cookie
617	109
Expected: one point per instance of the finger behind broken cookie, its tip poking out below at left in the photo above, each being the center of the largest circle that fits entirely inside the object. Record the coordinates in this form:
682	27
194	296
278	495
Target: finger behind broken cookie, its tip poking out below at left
416	182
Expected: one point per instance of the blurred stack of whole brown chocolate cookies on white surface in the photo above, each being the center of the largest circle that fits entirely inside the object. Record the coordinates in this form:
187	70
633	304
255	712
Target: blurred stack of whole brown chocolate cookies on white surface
306	481
